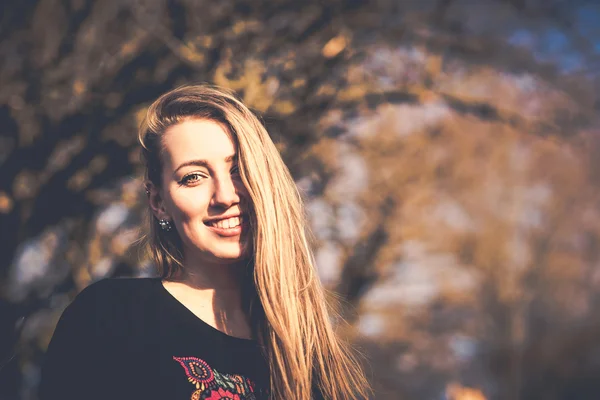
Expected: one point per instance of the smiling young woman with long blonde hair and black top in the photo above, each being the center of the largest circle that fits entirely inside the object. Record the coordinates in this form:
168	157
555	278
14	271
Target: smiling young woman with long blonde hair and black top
238	312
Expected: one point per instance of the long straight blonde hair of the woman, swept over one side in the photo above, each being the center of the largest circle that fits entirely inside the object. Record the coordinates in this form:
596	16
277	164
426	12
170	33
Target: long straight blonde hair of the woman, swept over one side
291	318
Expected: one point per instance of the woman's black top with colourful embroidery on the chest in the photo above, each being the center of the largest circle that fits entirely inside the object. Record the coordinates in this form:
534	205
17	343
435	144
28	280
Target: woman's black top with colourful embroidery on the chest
131	339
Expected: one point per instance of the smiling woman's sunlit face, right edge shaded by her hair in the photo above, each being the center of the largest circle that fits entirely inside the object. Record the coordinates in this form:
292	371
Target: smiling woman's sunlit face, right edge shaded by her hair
202	193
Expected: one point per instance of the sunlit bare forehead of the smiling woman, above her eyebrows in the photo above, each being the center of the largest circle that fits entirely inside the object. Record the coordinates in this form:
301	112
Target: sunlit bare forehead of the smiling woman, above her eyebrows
195	139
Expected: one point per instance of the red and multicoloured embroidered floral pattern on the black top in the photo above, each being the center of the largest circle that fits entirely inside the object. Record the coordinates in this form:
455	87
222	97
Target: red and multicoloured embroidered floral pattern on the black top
213	385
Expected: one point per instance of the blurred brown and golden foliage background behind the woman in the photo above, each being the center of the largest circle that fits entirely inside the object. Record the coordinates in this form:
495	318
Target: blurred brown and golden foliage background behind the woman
448	152
